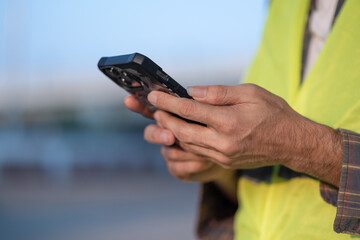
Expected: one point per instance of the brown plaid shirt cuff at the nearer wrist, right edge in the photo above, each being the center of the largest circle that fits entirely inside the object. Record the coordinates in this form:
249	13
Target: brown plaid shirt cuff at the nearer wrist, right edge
347	197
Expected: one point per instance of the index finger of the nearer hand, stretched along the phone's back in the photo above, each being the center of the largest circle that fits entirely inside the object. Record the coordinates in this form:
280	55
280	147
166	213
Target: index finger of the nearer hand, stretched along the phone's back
184	107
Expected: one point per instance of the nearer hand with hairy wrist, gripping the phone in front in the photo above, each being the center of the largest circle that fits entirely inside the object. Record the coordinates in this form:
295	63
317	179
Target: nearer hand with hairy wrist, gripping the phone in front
249	127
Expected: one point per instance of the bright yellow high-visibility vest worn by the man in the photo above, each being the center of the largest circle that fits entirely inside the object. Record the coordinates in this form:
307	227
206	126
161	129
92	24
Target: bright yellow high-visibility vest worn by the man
293	209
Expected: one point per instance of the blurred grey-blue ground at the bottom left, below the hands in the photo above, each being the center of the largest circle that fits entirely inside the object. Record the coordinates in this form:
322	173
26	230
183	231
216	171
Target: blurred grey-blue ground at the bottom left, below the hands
100	205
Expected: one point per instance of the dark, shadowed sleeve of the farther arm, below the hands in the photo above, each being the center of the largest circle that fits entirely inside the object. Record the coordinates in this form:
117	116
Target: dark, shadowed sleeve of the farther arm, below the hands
216	215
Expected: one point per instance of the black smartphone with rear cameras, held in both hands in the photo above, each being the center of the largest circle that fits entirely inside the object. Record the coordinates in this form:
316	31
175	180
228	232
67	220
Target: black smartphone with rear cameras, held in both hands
139	75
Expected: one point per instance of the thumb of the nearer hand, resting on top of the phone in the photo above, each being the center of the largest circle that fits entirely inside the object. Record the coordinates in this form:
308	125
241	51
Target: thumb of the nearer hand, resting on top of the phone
217	95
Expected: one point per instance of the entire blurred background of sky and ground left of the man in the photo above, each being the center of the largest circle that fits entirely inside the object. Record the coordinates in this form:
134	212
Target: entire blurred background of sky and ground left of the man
73	162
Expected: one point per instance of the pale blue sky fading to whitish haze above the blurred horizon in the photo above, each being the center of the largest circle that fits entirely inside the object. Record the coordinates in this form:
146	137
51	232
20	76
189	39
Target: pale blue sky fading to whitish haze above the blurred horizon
59	41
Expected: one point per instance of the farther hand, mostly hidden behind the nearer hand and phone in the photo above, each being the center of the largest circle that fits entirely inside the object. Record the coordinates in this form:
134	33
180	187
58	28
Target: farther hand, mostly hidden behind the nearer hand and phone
184	165
